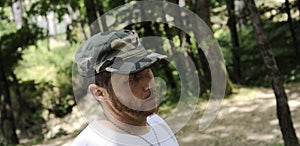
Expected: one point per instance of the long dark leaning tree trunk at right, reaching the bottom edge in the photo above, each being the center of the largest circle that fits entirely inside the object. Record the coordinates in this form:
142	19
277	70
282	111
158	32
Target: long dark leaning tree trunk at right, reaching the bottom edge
283	111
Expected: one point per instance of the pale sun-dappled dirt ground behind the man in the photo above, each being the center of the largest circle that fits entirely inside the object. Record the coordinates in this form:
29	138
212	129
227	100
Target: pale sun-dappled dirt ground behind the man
246	118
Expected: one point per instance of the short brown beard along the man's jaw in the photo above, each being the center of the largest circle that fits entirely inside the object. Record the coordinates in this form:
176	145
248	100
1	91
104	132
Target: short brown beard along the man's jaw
117	104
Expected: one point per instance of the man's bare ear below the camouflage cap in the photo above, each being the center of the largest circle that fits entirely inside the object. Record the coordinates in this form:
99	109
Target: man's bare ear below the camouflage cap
99	93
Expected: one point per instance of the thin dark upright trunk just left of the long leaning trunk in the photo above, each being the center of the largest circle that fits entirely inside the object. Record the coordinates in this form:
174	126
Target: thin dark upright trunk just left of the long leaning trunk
234	40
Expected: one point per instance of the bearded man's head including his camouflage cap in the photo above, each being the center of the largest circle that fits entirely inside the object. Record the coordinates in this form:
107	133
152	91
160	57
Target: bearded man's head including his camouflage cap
119	66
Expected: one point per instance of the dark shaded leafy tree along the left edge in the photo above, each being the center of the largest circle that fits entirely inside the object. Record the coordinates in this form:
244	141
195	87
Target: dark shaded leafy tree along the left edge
11	47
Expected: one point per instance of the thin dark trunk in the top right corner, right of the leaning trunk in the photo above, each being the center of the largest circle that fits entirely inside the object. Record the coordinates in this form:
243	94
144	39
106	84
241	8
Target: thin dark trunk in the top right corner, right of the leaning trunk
293	32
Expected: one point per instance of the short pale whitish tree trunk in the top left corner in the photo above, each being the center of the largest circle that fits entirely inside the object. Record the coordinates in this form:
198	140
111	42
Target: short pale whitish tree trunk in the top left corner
17	13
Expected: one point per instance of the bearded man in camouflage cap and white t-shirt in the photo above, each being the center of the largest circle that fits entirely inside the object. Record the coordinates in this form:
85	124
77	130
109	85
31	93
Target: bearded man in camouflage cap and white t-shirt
116	68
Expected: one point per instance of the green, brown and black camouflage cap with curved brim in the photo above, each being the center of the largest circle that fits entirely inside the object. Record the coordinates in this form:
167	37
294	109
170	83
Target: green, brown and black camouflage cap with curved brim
114	51
